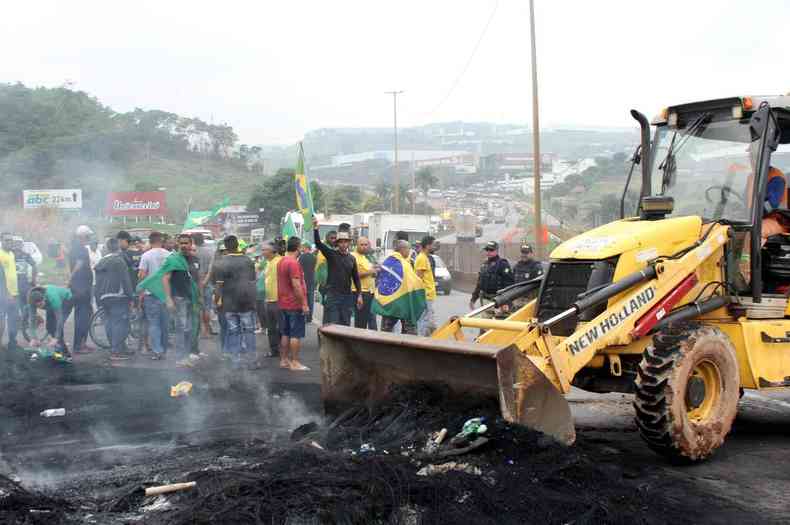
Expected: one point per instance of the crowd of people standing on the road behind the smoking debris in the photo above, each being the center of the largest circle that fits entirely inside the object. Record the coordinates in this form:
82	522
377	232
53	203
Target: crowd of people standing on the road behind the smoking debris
183	289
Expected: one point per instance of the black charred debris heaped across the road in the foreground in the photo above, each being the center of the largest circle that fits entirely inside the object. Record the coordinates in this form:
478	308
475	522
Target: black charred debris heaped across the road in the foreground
365	465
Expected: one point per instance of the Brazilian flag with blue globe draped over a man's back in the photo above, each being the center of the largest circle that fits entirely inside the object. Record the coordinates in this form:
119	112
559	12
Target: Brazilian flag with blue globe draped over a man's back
399	292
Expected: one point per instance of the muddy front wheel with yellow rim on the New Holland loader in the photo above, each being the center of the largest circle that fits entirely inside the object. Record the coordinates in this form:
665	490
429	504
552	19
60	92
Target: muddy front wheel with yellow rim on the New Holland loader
687	391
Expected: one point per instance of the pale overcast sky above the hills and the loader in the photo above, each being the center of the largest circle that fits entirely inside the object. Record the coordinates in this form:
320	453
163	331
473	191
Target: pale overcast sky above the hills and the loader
276	69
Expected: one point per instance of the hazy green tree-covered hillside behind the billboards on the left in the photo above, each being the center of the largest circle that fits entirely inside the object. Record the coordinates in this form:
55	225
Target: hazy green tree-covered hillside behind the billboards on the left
59	138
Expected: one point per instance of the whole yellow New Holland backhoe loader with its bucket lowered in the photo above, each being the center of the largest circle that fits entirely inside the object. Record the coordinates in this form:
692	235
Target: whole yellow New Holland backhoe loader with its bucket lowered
682	302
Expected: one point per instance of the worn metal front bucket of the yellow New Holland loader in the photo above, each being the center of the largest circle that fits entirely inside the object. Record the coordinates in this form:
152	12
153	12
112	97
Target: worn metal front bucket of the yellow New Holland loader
359	366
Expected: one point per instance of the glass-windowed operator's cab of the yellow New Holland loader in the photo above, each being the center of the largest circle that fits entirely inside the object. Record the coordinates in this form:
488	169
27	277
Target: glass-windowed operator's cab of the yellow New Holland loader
725	161
